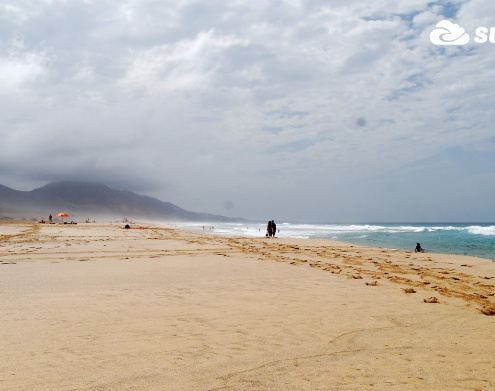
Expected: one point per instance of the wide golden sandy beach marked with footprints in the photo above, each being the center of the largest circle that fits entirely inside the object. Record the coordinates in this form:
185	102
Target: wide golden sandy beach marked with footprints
99	307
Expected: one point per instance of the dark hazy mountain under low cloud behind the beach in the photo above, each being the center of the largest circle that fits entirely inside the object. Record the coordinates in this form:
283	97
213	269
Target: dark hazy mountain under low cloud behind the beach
91	200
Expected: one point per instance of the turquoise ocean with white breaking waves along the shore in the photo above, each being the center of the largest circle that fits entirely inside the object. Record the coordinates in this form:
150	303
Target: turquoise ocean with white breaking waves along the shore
473	239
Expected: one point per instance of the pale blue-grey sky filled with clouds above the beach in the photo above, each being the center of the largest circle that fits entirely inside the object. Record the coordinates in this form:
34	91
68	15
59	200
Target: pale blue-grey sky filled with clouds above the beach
309	111
